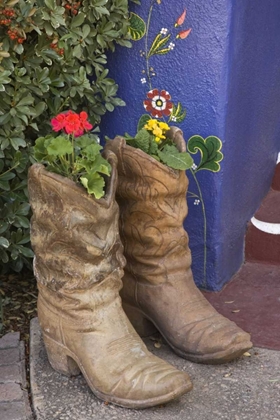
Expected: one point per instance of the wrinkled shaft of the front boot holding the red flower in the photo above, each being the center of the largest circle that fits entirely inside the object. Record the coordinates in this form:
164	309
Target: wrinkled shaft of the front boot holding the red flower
74	236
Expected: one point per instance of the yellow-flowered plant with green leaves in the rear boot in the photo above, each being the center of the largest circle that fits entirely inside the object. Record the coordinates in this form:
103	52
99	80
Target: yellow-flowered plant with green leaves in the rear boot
153	137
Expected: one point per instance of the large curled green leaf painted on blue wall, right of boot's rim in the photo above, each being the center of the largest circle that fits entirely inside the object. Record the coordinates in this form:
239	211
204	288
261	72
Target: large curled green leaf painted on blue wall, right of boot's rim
210	150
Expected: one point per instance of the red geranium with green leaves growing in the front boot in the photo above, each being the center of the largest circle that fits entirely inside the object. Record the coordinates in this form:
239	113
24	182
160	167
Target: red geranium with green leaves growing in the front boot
75	153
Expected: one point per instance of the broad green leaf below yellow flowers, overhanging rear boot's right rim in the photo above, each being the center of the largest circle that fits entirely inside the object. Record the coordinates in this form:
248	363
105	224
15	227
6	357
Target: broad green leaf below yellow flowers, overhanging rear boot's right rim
175	159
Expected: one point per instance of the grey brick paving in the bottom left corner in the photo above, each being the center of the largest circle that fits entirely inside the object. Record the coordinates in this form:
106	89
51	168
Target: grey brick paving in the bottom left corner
14	404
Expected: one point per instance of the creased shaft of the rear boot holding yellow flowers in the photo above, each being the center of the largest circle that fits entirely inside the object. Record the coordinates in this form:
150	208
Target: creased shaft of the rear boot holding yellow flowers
152	200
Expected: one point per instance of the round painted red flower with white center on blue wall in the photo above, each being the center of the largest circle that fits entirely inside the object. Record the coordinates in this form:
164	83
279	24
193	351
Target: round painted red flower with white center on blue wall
158	103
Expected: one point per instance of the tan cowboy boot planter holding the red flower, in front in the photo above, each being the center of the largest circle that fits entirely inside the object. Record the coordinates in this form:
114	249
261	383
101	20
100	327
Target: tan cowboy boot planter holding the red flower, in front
78	265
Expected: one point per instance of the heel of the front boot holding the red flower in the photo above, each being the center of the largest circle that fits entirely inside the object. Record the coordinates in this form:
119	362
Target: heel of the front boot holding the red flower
58	358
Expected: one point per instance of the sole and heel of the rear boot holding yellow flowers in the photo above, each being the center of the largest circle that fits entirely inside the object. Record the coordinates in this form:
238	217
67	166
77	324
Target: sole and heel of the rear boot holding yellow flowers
138	321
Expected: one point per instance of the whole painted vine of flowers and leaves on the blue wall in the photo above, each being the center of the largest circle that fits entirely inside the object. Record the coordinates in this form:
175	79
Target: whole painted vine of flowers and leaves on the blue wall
159	104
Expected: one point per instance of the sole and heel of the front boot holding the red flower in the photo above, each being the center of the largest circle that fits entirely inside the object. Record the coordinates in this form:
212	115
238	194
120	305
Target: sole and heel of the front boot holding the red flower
59	360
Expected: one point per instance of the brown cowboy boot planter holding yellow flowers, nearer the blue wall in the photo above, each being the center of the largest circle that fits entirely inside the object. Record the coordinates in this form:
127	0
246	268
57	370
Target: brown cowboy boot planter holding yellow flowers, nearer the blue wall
159	292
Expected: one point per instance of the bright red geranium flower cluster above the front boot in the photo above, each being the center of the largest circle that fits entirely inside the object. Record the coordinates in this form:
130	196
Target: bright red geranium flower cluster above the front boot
71	123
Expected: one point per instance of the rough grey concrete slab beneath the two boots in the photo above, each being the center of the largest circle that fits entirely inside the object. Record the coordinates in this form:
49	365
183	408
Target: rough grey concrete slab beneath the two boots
246	389
